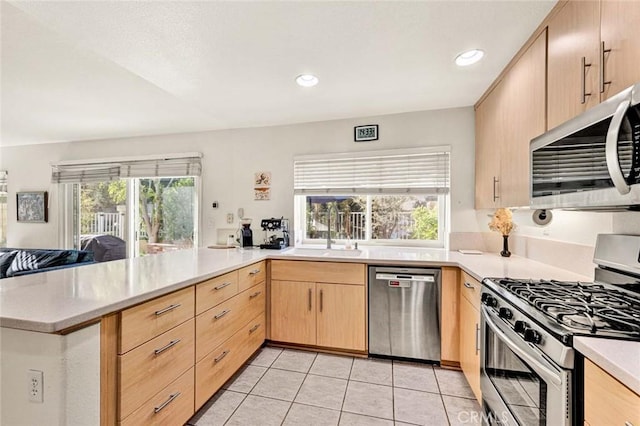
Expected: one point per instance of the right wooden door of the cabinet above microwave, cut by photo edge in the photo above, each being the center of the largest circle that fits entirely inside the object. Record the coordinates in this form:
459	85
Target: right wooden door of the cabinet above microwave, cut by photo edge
620	36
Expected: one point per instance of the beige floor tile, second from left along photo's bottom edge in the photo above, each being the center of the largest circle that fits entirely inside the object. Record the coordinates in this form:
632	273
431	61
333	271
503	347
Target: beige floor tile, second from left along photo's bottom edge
256	410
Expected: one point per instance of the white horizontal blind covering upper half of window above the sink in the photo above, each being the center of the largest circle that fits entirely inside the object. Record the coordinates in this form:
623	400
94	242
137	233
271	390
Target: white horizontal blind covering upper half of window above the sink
424	171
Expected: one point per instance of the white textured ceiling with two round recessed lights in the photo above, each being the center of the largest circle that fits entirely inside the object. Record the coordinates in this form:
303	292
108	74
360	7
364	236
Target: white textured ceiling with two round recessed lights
86	70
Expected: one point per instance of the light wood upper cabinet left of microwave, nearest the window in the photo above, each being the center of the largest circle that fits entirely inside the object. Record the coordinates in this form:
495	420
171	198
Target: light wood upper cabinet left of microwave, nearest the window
506	121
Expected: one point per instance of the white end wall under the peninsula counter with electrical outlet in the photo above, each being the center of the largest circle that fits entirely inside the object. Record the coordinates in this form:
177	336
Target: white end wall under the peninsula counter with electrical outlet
71	379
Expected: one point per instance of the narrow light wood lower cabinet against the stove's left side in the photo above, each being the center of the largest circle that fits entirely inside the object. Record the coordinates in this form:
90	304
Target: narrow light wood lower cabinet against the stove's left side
470	332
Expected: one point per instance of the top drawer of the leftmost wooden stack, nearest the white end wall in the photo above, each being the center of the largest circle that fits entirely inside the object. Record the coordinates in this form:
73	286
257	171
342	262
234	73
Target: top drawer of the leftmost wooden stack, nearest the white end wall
146	321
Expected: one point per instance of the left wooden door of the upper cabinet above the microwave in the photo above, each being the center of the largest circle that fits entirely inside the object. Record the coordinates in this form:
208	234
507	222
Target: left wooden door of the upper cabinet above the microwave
574	61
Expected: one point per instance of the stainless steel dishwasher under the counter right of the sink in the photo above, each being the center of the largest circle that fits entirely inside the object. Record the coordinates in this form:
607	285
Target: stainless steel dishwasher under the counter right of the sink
404	312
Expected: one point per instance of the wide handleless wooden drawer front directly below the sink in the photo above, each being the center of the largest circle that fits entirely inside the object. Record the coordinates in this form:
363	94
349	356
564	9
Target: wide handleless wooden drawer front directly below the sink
325	272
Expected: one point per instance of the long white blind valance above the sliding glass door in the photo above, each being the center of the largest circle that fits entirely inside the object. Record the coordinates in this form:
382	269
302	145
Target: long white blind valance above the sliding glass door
105	170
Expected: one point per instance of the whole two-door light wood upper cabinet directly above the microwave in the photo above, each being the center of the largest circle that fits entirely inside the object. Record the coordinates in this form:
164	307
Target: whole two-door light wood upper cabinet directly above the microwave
593	54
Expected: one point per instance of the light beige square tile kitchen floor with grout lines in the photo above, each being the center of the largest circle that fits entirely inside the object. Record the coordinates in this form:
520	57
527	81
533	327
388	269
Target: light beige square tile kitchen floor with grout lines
290	387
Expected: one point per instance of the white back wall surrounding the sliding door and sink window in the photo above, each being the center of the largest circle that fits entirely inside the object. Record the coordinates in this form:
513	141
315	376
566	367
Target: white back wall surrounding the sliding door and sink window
232	156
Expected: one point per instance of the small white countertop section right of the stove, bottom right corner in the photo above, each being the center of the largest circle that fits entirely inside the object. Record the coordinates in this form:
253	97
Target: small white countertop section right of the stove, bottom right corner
619	358
